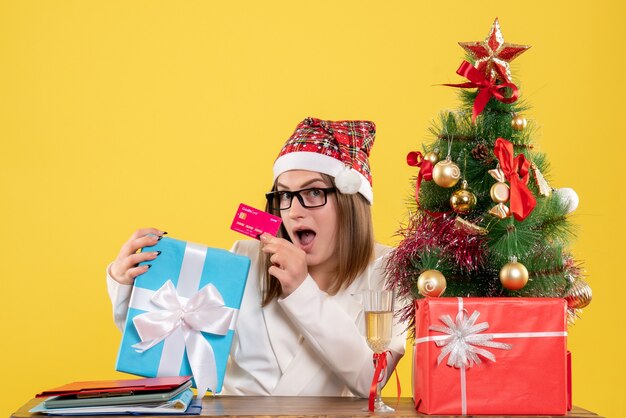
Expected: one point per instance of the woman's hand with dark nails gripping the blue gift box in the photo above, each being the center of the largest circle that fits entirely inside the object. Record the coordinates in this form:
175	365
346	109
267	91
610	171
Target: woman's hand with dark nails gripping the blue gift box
124	269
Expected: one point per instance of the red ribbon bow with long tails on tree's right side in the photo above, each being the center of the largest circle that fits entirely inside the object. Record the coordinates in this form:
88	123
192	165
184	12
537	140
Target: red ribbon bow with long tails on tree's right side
515	169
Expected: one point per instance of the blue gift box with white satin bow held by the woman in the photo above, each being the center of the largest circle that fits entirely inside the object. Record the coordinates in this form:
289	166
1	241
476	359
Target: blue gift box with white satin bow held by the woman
163	309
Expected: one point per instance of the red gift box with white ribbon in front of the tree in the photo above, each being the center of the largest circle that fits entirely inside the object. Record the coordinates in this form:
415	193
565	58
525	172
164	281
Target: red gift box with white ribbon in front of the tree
490	356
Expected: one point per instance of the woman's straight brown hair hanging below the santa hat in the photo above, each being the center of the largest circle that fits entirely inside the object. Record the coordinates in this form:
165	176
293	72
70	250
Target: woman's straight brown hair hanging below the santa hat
355	243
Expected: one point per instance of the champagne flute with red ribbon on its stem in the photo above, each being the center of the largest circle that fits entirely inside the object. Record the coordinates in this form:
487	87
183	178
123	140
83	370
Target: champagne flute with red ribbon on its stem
378	307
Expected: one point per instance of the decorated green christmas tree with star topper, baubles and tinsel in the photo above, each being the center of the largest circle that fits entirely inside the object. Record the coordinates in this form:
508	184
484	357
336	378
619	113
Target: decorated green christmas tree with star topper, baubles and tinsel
484	221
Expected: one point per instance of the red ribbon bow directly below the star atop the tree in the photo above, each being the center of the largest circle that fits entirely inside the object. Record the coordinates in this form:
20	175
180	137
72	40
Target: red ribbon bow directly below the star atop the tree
486	88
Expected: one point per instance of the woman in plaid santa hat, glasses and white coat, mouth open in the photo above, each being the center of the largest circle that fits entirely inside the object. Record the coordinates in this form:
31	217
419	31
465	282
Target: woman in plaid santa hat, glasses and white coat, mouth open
300	330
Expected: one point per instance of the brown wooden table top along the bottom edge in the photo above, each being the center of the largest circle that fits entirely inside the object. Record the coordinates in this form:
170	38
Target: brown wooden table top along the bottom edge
265	406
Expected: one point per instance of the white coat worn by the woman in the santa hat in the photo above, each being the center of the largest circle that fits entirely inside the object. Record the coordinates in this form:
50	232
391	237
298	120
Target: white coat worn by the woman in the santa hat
307	344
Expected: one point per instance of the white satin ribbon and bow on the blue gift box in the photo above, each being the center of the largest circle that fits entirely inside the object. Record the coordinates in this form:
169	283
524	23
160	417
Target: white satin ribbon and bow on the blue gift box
178	316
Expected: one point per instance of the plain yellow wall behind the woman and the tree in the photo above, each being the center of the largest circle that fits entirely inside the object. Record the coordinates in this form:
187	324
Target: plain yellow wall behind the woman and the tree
116	115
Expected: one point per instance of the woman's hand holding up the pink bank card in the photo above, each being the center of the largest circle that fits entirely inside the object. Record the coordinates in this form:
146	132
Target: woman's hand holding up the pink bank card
288	262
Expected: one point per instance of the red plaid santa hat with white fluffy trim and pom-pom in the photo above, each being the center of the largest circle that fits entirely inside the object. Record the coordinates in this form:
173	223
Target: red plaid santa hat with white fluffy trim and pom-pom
339	149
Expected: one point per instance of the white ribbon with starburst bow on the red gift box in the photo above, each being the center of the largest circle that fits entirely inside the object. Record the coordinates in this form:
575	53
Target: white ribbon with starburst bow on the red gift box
463	340
